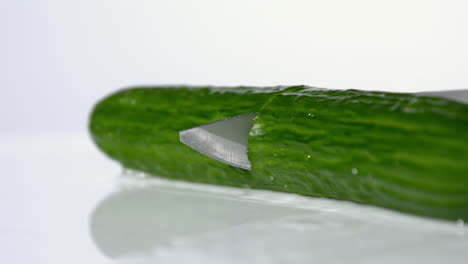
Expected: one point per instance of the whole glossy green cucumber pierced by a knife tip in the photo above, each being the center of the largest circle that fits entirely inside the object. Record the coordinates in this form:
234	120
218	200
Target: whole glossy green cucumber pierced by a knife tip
393	150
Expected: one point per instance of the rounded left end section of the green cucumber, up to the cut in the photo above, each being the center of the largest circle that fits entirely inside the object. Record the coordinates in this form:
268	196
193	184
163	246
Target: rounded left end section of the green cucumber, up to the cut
139	127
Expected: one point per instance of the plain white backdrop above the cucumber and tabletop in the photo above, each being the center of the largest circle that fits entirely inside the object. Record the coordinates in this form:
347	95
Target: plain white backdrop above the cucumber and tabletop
59	57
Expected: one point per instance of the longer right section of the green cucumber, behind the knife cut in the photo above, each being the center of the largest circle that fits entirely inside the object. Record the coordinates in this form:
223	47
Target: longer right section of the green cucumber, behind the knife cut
392	150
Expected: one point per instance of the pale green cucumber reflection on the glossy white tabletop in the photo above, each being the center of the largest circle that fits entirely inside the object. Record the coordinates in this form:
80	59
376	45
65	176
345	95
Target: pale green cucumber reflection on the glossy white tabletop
169	222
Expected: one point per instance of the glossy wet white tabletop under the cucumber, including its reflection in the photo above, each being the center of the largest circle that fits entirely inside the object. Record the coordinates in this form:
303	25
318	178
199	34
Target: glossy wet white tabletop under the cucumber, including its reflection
63	202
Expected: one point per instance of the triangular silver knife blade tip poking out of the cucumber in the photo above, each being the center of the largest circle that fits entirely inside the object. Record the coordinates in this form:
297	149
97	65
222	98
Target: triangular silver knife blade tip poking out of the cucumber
225	140
